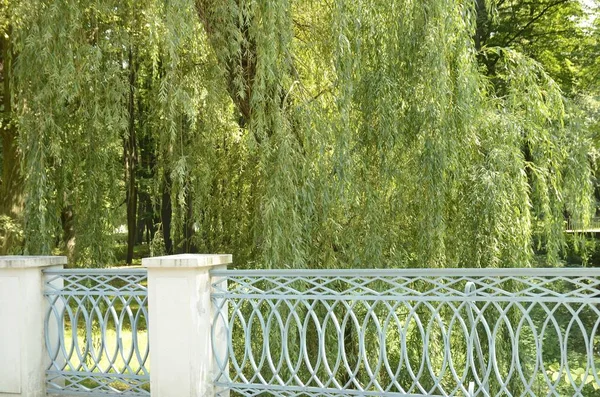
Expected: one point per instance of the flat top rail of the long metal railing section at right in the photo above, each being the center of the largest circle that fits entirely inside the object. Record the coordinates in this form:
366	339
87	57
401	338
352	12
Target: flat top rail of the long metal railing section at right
422	272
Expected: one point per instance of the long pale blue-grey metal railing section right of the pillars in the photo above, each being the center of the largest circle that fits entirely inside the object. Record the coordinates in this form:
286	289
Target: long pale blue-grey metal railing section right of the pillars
452	332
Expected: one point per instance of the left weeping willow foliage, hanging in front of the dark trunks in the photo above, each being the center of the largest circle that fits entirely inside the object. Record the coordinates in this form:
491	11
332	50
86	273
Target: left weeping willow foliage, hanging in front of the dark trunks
93	80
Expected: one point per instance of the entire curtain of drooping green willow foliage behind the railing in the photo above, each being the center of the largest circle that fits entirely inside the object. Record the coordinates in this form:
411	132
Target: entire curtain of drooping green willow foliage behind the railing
292	134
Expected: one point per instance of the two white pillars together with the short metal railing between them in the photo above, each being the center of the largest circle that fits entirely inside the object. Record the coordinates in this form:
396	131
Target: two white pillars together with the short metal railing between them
88	332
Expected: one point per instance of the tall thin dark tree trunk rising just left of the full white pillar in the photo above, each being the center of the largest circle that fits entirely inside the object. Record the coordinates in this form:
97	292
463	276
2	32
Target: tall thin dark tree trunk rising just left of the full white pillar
131	159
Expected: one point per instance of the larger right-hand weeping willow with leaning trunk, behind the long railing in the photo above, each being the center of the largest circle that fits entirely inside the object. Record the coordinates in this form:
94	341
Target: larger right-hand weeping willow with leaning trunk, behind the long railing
377	139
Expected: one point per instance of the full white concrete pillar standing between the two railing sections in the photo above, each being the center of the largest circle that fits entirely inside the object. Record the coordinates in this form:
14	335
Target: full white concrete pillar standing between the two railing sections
180	319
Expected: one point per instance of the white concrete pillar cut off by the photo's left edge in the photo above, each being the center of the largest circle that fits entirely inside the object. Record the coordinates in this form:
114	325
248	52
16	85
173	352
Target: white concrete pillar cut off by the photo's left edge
23	356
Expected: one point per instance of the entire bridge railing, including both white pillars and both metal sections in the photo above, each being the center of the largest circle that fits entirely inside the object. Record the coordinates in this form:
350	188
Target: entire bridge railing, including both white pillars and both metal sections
433	332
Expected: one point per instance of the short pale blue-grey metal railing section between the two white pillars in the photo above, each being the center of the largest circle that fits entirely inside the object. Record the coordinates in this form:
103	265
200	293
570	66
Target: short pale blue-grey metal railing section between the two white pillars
96	332
